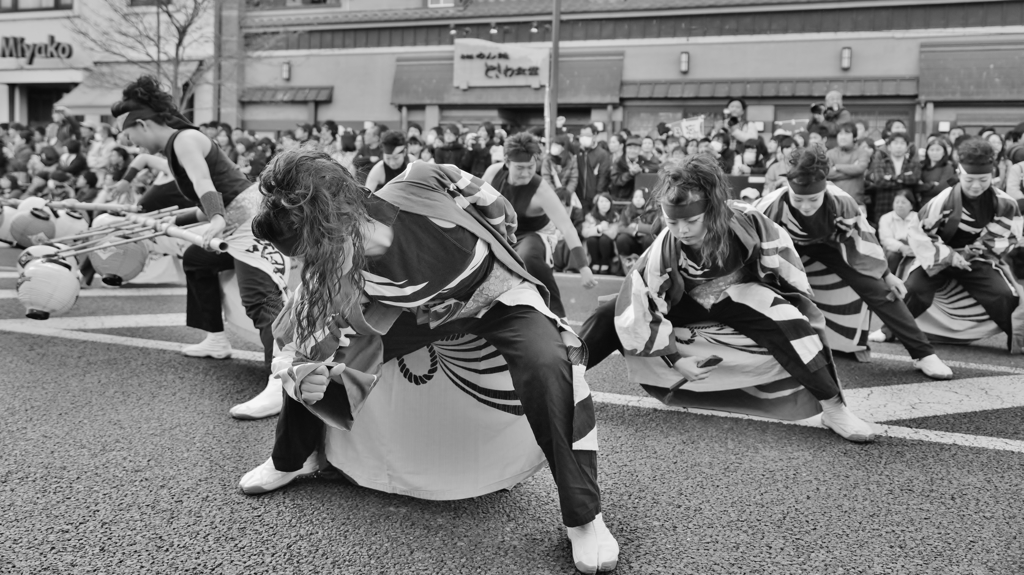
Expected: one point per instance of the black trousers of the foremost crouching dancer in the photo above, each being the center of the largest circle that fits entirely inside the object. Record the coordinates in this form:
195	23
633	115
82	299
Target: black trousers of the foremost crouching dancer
541	375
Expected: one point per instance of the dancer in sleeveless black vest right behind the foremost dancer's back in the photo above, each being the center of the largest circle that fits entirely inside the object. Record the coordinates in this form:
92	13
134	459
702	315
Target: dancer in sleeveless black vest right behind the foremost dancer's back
540	213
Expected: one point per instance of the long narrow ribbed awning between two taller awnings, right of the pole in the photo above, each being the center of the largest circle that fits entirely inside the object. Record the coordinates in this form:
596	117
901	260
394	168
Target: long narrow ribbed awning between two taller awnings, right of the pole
865	87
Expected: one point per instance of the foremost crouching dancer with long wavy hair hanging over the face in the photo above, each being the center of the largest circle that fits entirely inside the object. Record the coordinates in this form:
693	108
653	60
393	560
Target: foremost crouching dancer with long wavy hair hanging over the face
425	258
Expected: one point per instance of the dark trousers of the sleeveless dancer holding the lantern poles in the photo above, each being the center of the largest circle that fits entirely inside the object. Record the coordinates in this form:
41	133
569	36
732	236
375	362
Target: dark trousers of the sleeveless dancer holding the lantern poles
261	294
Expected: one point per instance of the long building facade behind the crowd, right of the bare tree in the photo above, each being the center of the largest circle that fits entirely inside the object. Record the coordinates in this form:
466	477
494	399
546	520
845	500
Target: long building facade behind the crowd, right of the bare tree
632	64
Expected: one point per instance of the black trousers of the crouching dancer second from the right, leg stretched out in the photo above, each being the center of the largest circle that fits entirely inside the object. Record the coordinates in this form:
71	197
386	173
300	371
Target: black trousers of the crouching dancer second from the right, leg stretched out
876	294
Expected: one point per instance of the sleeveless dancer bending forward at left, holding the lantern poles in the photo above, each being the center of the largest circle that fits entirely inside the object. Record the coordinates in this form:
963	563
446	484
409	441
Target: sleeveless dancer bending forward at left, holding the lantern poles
229	201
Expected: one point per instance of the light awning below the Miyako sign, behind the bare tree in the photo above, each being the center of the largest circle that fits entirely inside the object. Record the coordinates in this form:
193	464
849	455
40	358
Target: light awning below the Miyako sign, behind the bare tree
104	84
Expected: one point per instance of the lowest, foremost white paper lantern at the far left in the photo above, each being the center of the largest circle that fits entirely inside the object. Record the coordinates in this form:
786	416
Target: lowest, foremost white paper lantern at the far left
48	287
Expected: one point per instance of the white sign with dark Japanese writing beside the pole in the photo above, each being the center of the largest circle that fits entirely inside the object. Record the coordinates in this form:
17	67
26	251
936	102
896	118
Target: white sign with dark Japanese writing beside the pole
483	64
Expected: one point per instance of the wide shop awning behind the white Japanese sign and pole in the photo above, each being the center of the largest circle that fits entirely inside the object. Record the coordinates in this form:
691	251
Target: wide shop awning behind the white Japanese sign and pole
582	81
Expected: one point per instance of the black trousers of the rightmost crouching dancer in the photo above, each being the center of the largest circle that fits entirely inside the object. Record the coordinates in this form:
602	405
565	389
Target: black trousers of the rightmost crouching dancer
984	282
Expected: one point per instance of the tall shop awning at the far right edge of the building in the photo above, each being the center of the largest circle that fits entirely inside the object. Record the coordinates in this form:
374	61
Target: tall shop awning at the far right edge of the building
988	72
